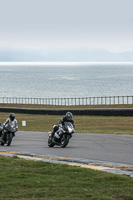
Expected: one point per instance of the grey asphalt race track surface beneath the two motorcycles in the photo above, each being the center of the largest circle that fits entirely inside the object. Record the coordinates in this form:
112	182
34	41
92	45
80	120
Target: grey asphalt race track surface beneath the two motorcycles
92	147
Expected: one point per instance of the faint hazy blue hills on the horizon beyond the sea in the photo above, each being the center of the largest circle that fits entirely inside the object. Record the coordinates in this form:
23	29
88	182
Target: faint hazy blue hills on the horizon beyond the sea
63	55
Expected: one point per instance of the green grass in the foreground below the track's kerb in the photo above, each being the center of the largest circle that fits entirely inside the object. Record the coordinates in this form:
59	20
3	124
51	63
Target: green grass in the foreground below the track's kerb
22	179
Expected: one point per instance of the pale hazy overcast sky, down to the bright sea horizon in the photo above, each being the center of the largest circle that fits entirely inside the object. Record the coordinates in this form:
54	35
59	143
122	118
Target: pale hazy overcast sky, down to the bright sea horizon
66	30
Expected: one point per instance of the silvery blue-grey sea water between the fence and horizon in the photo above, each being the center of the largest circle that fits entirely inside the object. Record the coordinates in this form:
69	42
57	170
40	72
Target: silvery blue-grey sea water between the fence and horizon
66	81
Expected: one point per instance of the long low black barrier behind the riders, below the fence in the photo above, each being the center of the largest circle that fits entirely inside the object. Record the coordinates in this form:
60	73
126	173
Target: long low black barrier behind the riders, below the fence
88	112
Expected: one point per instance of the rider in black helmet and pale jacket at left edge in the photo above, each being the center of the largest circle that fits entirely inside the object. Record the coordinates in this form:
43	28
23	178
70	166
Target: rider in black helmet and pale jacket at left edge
13	122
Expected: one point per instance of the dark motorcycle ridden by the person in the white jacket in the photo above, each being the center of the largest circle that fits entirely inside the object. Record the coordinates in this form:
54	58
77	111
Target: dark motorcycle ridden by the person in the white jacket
9	133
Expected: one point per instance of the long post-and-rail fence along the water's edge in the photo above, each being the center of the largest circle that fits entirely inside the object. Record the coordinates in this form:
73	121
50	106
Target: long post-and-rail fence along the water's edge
111	100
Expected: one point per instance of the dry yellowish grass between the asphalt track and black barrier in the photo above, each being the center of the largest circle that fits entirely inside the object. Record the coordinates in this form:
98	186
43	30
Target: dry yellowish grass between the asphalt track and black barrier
84	124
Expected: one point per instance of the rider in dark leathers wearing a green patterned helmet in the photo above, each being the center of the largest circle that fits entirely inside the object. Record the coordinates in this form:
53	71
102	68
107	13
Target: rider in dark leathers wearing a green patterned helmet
67	118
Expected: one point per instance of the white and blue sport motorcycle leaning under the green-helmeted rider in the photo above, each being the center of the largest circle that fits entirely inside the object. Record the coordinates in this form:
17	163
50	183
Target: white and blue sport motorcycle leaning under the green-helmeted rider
62	136
